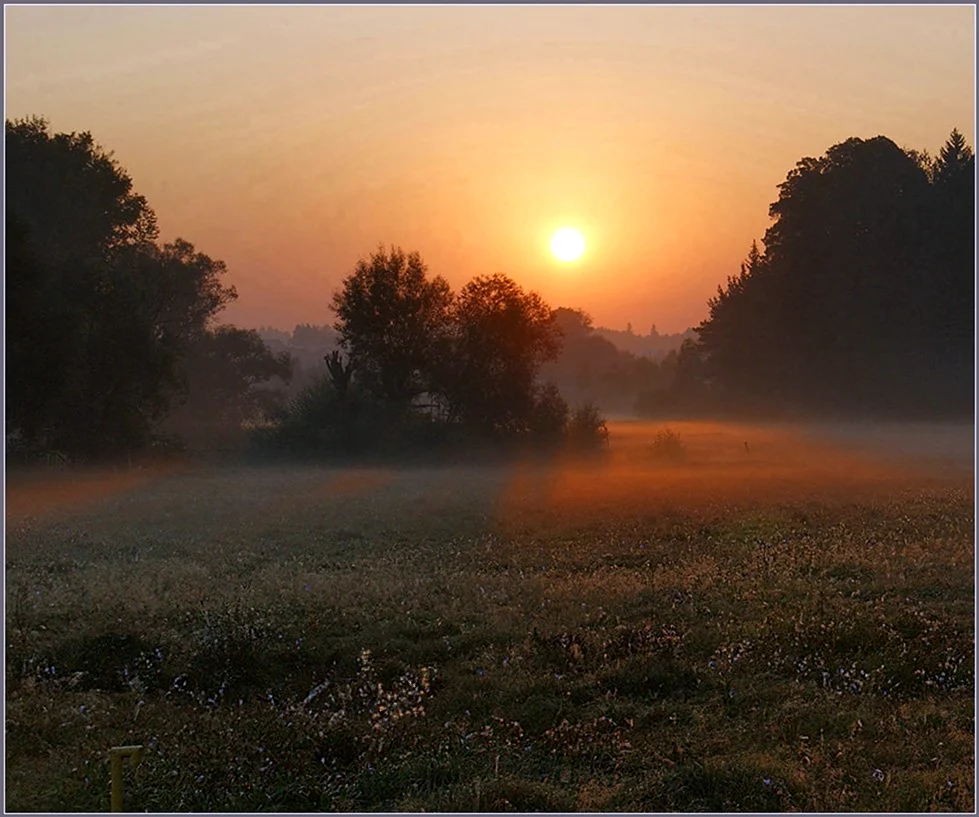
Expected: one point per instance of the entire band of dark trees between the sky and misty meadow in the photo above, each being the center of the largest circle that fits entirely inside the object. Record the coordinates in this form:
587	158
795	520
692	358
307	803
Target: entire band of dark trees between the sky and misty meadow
862	300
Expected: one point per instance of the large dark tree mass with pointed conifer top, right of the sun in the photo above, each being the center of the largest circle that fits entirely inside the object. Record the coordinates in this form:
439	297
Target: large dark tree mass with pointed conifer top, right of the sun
863	298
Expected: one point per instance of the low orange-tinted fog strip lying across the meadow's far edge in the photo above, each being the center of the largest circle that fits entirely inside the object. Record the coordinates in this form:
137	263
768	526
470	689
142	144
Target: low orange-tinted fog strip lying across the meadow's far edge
649	466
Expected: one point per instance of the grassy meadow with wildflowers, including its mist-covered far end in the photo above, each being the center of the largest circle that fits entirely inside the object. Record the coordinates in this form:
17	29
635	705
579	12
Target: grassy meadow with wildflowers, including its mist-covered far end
783	625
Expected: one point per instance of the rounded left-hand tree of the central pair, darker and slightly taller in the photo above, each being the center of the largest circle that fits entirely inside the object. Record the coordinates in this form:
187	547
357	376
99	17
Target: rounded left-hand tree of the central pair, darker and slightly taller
393	321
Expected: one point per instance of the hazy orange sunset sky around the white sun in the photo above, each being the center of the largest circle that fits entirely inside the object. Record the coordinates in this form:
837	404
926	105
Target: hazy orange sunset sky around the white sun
291	141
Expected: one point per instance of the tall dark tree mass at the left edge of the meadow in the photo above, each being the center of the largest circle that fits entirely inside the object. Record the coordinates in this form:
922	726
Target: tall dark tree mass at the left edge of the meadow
106	330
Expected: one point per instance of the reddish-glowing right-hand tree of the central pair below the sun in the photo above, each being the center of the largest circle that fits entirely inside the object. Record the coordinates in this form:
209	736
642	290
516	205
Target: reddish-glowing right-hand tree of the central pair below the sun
501	336
